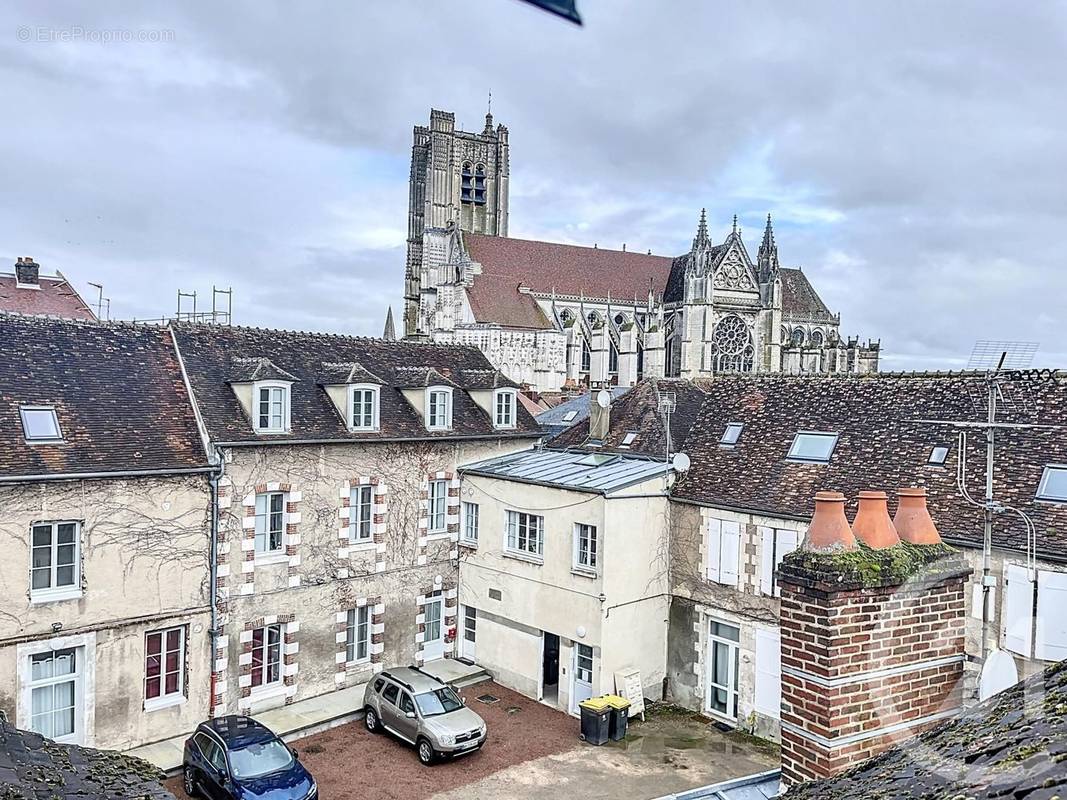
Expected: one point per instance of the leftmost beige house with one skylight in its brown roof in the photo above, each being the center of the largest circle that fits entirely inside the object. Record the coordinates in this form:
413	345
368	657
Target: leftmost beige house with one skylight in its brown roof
106	489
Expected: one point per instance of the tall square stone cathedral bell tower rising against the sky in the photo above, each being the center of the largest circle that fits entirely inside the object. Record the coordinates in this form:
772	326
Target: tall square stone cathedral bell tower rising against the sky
457	179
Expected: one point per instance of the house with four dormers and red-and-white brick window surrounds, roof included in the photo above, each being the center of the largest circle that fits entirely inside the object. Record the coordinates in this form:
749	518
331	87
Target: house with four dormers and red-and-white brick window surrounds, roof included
339	505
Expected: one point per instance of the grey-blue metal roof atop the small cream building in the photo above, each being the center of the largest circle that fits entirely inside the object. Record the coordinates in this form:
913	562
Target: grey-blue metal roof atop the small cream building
582	471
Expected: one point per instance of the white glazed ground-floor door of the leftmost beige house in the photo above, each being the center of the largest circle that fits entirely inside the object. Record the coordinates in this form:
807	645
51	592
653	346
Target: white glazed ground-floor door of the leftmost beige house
56	696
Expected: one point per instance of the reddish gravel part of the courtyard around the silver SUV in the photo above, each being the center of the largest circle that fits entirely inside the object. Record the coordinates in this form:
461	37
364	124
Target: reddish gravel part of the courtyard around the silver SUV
348	762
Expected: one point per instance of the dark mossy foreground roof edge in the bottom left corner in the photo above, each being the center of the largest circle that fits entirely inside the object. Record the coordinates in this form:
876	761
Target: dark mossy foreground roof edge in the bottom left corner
36	769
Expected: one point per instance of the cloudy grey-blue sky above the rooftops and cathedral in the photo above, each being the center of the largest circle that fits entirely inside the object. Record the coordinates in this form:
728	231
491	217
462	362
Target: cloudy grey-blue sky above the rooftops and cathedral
914	154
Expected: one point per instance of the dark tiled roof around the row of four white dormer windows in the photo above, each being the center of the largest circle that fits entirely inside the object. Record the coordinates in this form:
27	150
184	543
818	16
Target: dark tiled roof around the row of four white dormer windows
210	351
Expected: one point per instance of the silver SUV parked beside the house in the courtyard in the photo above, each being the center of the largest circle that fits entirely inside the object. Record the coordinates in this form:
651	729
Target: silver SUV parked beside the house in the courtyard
419	709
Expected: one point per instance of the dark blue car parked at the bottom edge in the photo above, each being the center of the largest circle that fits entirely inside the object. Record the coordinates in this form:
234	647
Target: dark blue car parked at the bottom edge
237	759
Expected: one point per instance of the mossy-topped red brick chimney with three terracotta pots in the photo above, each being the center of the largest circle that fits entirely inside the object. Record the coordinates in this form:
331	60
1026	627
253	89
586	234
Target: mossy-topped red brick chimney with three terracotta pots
872	647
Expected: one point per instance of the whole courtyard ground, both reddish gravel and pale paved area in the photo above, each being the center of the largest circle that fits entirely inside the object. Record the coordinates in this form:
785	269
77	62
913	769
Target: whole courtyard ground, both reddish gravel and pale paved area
533	753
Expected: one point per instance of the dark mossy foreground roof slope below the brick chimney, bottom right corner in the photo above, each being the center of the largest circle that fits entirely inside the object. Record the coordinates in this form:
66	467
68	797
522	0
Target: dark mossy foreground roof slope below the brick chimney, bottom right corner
1013	745
